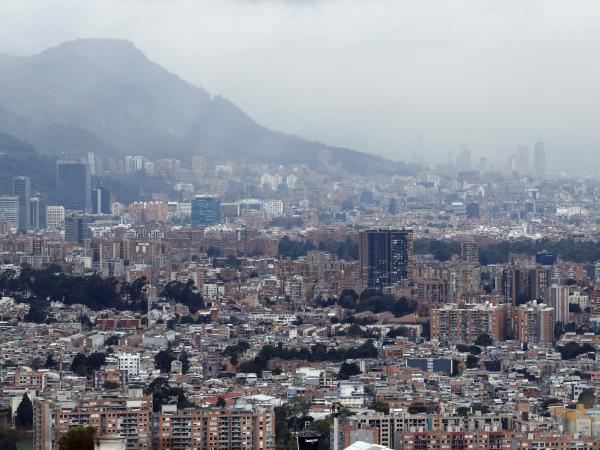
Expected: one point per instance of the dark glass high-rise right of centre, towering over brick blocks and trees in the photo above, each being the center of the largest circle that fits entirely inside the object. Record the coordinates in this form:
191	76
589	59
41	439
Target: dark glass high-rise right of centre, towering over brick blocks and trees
386	257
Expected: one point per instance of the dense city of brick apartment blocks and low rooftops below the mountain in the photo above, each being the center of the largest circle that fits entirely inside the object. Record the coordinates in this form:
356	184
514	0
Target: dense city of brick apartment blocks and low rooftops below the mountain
255	305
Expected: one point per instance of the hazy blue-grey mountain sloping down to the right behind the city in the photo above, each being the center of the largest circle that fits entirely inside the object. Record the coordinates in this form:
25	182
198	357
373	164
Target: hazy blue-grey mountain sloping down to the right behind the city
105	96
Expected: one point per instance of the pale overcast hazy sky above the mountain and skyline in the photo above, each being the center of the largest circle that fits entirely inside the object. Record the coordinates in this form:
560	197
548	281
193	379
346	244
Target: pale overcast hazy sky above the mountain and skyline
369	74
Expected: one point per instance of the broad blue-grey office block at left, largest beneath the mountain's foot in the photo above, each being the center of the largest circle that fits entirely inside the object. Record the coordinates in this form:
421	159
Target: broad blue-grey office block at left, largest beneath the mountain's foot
74	185
